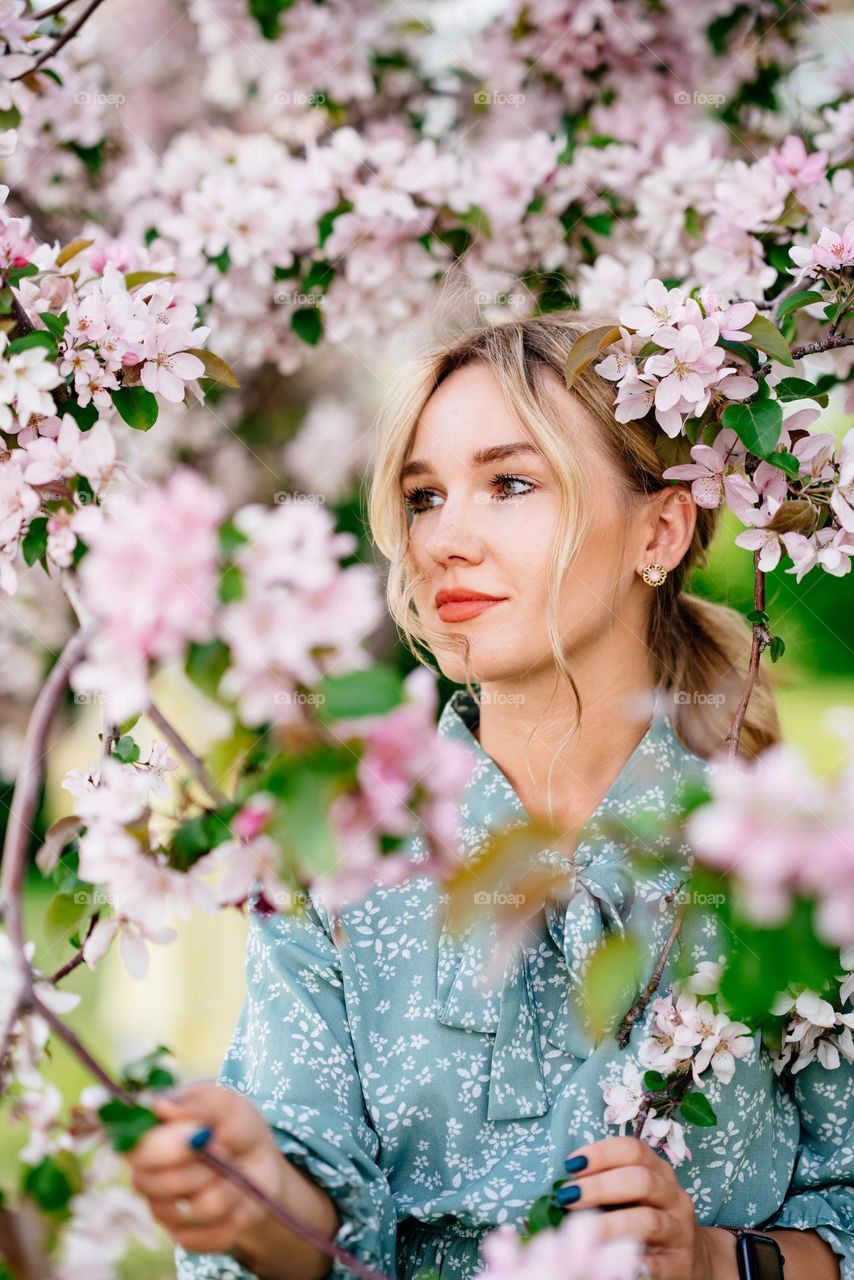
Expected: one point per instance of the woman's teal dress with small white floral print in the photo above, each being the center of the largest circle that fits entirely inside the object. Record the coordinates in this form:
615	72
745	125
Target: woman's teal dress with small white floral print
435	1095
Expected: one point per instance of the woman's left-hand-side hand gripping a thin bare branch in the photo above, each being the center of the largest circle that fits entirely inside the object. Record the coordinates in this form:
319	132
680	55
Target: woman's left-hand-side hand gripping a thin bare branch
167	1171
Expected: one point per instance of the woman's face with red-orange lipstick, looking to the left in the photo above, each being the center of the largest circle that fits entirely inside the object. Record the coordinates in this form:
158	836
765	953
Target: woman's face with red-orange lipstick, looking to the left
490	524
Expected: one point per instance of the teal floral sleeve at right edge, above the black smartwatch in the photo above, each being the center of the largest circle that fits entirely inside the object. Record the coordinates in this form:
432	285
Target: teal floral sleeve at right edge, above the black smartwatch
821	1194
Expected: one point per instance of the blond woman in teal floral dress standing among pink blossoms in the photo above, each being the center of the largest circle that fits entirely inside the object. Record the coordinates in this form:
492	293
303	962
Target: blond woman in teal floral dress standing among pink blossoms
419	1094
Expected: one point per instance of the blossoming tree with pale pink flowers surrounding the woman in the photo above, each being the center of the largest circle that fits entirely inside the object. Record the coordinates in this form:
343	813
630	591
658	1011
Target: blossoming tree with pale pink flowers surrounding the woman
339	166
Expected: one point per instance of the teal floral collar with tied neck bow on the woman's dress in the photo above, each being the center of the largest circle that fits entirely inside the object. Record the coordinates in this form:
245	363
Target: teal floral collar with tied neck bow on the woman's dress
537	1000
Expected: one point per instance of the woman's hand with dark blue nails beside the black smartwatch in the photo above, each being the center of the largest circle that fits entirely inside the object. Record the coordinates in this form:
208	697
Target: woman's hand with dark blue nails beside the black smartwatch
655	1210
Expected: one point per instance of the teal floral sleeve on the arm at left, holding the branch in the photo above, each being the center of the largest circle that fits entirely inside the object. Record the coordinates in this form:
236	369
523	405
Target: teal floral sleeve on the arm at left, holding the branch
293	1055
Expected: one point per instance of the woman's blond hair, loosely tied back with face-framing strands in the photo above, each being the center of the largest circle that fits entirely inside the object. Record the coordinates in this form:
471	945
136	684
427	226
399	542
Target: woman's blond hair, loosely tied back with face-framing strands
696	647
